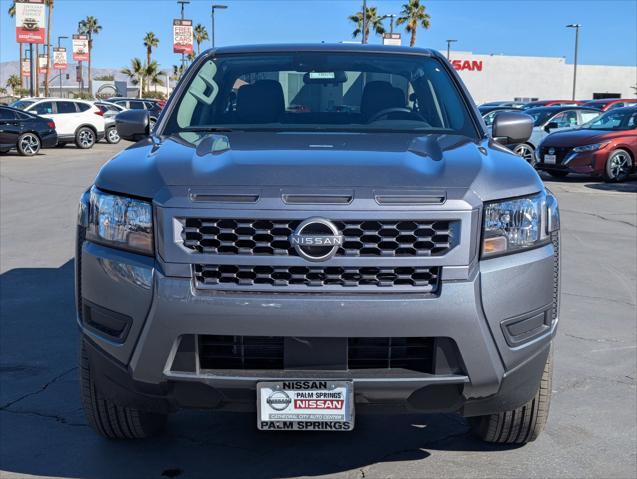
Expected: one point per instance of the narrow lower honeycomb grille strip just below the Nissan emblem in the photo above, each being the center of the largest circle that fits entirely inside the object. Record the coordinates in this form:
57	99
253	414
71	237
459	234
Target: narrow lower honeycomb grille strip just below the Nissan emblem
426	279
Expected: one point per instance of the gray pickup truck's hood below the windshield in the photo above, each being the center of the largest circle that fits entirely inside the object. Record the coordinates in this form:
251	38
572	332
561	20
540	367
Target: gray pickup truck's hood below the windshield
299	159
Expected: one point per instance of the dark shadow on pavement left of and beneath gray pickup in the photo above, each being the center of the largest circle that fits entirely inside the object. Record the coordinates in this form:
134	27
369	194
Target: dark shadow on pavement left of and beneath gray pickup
43	431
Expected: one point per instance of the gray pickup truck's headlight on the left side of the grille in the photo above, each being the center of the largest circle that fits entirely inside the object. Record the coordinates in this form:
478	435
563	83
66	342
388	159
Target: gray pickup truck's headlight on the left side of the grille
120	222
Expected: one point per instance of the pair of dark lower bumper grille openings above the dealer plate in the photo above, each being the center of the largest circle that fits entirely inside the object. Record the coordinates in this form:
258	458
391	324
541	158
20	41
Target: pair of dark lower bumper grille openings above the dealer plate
267	352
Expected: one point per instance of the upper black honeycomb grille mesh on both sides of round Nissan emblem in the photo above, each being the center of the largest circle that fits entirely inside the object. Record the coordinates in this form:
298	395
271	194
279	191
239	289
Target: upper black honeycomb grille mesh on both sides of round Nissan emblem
360	238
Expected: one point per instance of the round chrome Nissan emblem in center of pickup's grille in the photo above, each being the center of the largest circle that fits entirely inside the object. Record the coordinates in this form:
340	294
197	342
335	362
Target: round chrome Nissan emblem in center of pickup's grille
316	239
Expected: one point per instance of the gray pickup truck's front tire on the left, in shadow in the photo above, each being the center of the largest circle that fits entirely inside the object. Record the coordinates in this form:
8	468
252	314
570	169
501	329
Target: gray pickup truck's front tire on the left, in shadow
107	418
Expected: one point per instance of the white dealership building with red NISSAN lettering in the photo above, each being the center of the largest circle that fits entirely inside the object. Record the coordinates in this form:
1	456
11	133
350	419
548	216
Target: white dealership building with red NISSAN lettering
505	77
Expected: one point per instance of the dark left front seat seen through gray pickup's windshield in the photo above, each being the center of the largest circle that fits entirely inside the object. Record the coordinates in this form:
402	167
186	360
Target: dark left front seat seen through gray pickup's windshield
260	102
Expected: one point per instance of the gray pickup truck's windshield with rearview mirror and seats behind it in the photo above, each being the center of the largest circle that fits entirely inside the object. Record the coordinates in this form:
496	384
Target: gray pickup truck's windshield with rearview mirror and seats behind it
318	91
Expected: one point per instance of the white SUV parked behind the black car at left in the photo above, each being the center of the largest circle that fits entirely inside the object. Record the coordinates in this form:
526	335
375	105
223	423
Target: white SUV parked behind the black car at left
76	121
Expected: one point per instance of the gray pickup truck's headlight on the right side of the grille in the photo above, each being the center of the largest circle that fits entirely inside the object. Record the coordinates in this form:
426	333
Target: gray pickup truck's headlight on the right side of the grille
518	224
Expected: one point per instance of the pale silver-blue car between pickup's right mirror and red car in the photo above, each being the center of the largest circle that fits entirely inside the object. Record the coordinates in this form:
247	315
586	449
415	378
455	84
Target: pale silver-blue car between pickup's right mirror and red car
549	119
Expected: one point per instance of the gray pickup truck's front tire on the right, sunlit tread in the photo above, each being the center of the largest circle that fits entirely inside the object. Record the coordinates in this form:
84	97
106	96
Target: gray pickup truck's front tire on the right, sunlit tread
520	425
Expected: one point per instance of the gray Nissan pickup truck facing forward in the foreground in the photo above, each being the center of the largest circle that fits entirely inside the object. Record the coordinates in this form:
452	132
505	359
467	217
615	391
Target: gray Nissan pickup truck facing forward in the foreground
312	232
